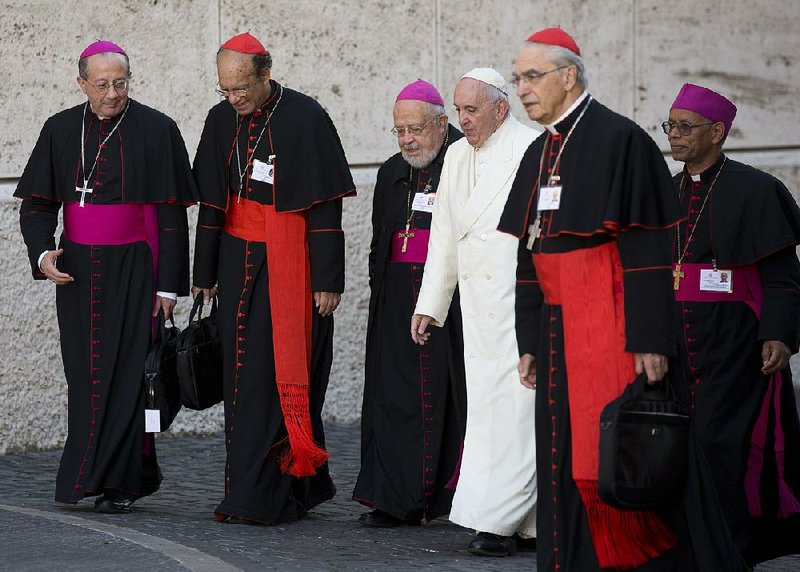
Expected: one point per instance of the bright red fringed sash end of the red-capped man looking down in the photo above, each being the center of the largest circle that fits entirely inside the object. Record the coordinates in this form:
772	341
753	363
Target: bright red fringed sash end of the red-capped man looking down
304	455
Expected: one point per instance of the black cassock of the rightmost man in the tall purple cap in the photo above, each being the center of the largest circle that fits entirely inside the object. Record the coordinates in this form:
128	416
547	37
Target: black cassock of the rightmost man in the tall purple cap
750	219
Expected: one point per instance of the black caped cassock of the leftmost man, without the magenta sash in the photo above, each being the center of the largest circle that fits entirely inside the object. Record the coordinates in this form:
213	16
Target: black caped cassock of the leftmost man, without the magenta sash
104	316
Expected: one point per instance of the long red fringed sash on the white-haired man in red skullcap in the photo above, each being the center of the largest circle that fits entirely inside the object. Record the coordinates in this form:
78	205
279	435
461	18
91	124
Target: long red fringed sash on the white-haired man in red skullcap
598	369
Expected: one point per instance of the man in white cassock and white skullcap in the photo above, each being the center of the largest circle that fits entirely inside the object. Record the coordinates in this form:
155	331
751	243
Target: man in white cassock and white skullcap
496	491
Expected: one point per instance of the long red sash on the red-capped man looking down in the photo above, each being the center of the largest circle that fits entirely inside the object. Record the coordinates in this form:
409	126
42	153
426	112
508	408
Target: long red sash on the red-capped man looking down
288	265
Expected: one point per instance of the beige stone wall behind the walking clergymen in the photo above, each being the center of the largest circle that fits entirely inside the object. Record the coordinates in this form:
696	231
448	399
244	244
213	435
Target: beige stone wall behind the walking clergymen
354	56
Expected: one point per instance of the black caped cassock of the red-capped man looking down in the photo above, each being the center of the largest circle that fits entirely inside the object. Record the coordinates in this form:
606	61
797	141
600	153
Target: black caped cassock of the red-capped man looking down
311	175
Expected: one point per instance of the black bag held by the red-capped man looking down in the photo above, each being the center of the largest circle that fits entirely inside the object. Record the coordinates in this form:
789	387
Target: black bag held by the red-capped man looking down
200	359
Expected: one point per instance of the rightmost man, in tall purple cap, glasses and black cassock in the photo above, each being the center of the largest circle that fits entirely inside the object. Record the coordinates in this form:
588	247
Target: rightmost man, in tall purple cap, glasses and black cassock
736	280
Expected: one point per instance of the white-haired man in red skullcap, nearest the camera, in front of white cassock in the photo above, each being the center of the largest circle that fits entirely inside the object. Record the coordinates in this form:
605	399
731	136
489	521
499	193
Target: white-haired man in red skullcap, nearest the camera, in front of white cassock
593	207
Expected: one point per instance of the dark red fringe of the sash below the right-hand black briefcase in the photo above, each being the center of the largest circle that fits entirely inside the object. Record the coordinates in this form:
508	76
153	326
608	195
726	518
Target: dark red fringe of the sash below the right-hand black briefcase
623	538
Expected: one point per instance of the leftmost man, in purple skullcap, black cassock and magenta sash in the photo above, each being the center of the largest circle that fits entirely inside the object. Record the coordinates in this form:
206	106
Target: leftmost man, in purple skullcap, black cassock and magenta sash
120	170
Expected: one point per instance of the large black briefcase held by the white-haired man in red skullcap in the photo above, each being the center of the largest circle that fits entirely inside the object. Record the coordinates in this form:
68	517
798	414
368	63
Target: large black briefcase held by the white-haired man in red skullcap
643	447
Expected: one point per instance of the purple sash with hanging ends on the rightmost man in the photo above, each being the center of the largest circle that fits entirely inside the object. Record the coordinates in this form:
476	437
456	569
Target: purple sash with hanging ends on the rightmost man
747	288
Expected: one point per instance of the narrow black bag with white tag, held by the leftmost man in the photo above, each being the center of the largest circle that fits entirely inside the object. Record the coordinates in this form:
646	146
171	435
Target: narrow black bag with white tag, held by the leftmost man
160	375
